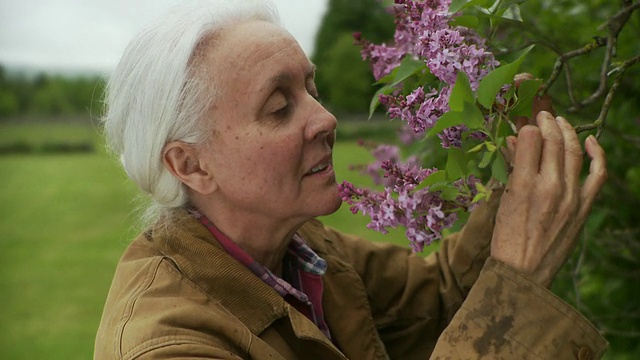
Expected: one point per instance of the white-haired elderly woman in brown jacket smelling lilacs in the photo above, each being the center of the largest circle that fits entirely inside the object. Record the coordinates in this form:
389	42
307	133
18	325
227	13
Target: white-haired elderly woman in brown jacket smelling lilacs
213	112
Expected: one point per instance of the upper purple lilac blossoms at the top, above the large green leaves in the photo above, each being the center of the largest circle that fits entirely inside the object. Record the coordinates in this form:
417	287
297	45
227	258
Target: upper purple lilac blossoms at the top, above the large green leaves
423	32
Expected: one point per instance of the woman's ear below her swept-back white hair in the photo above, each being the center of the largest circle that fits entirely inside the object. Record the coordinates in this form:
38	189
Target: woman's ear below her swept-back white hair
183	161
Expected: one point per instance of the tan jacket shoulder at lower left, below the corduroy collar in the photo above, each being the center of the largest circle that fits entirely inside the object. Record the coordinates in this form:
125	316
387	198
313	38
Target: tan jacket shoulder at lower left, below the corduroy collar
152	307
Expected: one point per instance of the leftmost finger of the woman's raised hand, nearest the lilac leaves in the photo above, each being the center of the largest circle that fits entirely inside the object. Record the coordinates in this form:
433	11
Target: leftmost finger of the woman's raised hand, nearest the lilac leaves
526	164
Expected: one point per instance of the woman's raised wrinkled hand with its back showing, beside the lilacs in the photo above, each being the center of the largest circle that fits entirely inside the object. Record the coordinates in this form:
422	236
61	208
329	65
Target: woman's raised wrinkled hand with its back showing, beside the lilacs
544	206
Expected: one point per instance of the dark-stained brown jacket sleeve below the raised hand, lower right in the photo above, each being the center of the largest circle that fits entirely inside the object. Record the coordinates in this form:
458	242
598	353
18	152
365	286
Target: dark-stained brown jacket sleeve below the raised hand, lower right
506	316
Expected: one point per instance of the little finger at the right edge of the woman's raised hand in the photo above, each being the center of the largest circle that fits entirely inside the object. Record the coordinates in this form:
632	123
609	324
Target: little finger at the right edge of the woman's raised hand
597	175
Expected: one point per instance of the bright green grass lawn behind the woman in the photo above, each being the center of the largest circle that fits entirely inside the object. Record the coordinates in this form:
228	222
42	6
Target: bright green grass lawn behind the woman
65	220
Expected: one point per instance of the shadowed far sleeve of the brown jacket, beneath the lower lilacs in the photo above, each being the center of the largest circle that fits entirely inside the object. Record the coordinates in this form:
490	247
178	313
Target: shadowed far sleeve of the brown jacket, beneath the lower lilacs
413	298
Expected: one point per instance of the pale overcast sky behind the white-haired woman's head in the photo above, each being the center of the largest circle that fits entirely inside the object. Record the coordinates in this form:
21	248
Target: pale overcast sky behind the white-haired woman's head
90	35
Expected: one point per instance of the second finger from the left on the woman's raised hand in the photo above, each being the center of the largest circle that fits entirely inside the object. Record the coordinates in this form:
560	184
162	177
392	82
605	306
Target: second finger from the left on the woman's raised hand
552	158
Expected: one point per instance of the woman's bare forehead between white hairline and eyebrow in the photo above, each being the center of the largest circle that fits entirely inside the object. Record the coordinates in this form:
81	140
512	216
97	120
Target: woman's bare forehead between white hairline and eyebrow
256	51
